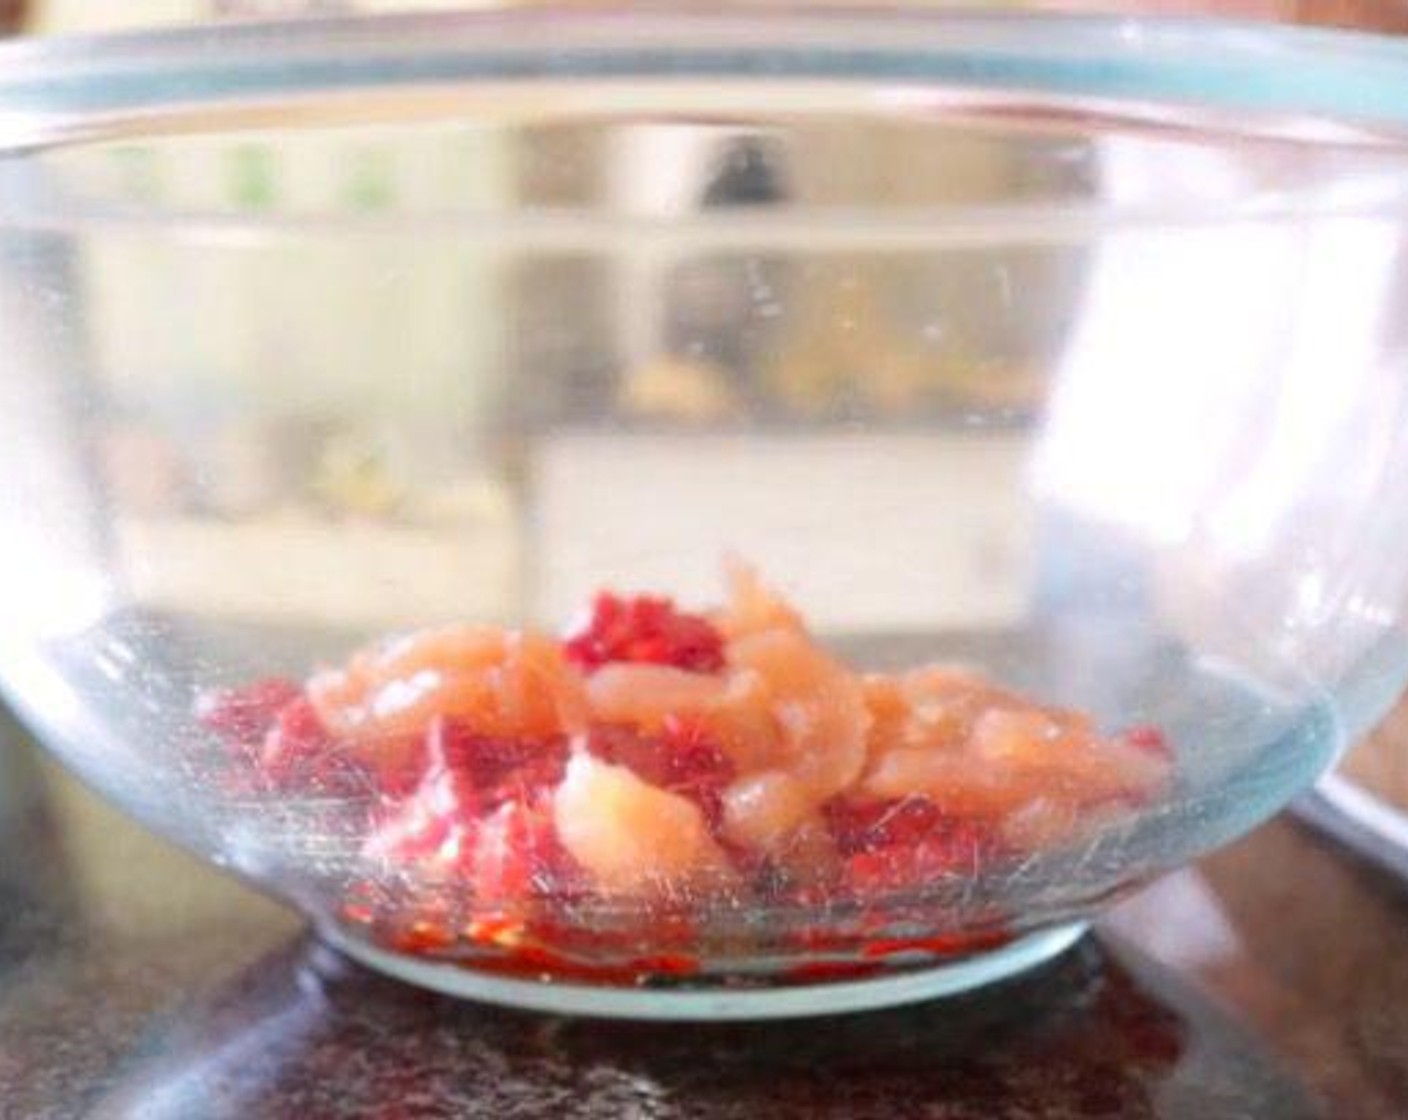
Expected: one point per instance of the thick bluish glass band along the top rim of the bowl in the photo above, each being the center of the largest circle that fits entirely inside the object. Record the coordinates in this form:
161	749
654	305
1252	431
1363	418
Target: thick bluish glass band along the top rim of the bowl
1205	63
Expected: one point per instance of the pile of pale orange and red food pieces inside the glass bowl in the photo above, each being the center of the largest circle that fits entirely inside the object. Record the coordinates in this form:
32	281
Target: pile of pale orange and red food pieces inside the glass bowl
671	766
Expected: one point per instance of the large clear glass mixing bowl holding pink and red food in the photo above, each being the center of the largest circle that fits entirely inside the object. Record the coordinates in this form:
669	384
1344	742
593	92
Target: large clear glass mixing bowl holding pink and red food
979	449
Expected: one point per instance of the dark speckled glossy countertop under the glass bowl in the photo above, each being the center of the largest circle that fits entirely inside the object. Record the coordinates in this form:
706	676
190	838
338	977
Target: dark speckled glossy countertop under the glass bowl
1269	981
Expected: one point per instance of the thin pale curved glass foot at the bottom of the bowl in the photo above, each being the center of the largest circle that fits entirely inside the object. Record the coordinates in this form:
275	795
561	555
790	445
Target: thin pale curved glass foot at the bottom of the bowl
719	1004
